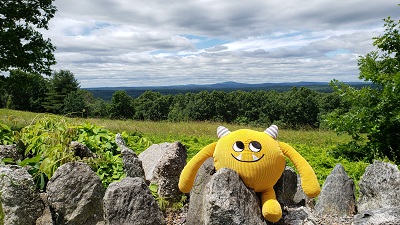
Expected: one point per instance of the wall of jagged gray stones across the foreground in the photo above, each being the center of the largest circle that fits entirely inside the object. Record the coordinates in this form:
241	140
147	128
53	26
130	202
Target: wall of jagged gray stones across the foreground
75	195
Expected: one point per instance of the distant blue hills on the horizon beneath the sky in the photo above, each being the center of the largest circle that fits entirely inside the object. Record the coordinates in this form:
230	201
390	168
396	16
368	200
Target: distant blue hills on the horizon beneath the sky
107	92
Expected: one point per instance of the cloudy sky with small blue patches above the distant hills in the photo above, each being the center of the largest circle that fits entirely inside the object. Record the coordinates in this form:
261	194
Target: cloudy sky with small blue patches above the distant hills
108	43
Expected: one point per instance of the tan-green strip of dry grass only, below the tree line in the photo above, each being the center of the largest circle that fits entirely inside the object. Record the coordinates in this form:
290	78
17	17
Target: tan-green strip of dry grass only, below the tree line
164	129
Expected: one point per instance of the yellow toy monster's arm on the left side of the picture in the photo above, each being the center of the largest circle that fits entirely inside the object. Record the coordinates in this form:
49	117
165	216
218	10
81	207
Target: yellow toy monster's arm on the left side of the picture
188	174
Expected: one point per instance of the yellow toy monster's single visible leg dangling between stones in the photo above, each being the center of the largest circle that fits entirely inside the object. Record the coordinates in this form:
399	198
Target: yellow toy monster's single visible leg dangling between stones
271	209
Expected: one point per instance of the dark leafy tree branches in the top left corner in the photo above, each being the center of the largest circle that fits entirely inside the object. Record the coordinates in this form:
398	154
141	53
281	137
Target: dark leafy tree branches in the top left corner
22	46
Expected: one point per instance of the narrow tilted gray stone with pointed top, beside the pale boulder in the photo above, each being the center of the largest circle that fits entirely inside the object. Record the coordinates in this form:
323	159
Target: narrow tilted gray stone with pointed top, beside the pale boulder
132	165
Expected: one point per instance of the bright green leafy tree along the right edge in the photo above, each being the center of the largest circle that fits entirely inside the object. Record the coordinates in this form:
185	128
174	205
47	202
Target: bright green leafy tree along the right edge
374	111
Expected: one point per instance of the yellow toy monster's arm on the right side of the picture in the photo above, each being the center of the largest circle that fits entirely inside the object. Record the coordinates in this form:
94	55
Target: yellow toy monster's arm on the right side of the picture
309	180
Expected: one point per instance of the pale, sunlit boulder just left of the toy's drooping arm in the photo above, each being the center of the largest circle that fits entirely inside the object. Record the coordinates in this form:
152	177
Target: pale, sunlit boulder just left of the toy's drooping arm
163	164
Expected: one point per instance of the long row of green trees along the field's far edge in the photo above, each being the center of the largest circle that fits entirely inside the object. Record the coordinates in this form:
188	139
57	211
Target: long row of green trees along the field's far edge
60	94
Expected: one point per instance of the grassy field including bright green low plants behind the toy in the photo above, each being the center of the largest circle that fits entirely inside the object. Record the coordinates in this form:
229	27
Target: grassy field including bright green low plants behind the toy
314	145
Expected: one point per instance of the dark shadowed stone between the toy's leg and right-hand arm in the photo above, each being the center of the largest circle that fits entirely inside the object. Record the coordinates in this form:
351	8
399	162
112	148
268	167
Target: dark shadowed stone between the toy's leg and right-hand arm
286	187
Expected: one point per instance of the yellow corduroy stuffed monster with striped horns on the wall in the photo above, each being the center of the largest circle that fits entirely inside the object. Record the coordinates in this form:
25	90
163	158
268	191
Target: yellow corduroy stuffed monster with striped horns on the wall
259	159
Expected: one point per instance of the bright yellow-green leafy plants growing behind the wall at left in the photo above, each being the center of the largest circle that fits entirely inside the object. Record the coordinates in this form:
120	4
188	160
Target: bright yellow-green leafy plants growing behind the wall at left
46	146
